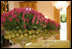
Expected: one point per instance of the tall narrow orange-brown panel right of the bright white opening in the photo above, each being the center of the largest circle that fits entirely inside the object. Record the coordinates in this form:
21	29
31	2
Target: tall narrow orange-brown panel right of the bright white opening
69	22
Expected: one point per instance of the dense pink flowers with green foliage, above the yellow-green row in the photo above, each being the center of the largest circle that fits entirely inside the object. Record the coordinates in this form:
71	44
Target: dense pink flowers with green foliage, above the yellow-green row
22	18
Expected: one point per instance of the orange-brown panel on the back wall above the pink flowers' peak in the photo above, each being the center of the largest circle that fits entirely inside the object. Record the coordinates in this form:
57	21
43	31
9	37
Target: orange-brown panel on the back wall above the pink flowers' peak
31	4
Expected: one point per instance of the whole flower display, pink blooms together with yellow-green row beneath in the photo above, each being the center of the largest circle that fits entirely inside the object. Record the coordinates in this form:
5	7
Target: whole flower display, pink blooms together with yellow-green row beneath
26	22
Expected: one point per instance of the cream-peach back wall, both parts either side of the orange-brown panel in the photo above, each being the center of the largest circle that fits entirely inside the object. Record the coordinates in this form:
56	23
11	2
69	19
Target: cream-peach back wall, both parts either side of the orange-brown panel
45	7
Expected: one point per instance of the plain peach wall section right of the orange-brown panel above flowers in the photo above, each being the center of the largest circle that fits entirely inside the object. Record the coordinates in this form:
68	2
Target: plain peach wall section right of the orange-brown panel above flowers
46	8
